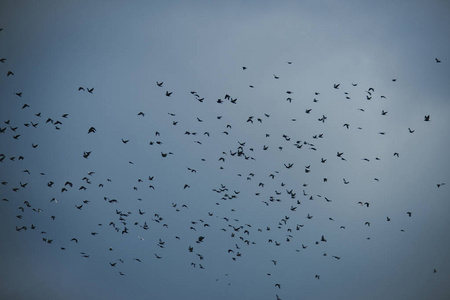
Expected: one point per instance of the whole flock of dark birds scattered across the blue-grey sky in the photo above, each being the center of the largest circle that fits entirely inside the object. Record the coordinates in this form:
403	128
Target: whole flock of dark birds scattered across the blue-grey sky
269	187
